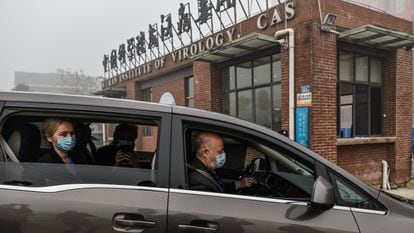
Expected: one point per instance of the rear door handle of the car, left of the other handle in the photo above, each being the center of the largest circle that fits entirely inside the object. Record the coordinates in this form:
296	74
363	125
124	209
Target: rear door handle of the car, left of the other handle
131	225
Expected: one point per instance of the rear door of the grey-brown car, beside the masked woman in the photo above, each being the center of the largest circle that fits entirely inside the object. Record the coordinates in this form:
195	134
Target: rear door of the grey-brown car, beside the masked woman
37	197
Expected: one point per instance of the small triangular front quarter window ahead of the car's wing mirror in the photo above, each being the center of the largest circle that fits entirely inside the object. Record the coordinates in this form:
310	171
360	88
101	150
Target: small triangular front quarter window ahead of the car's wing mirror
350	196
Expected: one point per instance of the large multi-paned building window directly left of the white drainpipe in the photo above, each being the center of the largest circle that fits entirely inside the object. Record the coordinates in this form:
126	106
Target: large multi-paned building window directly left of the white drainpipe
251	91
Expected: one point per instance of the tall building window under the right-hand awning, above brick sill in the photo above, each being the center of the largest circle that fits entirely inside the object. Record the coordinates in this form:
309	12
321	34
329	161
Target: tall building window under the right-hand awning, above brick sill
360	95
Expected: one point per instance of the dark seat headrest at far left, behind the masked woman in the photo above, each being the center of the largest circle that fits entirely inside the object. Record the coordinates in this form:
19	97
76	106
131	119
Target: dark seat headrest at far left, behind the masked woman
25	142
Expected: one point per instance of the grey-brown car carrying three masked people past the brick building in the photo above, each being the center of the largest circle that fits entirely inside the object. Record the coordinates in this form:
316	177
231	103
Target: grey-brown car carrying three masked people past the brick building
296	190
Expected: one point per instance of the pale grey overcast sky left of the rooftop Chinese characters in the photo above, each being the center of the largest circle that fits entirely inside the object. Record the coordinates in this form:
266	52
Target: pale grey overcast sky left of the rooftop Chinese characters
45	35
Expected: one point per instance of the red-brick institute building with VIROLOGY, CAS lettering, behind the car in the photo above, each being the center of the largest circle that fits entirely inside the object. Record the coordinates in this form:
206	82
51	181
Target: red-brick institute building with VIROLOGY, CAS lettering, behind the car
343	91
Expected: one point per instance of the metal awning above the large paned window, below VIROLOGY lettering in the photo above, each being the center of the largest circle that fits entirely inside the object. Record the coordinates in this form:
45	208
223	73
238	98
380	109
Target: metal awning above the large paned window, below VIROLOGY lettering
242	46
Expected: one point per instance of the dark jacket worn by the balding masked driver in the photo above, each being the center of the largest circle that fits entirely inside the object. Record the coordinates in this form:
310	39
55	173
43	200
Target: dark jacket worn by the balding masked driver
201	178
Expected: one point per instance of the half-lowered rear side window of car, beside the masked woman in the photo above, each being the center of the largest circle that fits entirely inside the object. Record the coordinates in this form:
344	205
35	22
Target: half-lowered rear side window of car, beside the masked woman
103	153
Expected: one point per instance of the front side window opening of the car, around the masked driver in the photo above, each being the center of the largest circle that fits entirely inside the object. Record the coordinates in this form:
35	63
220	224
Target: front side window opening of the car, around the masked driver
276	172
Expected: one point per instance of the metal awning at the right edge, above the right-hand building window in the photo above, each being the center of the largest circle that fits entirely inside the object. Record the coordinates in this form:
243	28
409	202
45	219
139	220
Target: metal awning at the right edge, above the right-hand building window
377	37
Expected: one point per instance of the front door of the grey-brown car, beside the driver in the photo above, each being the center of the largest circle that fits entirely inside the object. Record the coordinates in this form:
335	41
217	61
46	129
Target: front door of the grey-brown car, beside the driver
196	211
